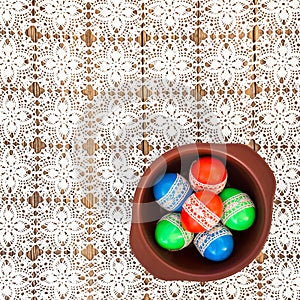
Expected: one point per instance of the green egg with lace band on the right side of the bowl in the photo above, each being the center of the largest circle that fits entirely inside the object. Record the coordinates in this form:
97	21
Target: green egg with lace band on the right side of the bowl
239	210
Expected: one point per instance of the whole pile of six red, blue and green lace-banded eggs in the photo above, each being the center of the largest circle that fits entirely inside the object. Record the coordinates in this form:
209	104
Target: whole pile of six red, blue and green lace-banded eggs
201	205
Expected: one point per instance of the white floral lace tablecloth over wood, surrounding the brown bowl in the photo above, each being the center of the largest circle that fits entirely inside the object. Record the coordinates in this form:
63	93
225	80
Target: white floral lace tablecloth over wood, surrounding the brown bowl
93	91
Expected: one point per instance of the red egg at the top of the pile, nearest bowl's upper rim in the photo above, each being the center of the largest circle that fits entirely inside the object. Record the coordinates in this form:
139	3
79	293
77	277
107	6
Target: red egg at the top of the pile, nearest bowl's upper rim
208	173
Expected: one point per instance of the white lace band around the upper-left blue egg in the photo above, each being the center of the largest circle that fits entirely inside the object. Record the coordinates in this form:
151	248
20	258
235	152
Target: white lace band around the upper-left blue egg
175	195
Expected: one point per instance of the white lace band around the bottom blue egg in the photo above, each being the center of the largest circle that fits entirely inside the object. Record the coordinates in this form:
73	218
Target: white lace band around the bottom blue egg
202	240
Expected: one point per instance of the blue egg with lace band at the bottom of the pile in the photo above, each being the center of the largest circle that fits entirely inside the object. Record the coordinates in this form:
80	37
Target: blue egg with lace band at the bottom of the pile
216	244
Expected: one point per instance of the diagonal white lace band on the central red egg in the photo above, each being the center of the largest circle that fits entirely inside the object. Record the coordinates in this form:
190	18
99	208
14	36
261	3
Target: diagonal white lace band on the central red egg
200	213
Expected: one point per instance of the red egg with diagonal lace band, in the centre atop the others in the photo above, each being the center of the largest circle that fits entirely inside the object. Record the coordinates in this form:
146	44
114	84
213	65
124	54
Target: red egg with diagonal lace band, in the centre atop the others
201	211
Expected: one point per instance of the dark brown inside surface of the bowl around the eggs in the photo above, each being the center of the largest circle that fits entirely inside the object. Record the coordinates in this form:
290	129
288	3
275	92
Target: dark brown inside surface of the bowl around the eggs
189	259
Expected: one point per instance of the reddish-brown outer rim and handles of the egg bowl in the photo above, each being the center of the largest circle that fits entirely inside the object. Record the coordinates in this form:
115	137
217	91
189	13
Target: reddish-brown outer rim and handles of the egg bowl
232	151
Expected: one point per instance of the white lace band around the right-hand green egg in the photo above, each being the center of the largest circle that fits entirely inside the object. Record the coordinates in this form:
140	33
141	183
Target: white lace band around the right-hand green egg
234	205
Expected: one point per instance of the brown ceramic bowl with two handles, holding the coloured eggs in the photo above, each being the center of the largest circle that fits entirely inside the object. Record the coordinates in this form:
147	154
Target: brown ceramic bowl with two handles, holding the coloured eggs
247	171
